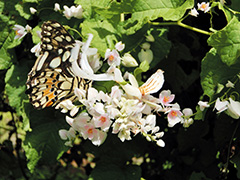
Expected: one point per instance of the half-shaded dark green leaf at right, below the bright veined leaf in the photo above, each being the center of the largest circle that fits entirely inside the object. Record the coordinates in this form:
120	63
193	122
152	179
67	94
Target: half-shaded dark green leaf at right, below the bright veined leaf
214	71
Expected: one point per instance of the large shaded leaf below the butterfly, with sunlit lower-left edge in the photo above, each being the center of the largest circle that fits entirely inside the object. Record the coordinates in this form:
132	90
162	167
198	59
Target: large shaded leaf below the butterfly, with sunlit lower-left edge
43	144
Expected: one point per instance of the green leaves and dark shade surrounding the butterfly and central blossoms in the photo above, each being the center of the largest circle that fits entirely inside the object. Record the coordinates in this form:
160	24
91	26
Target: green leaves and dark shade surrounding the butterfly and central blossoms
195	65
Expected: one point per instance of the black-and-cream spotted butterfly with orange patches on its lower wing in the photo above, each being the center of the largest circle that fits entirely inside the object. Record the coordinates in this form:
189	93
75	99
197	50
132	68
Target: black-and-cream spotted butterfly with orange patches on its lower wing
51	79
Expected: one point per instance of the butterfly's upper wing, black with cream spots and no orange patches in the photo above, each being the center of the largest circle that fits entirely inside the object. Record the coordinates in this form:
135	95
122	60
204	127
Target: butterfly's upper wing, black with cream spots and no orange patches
55	49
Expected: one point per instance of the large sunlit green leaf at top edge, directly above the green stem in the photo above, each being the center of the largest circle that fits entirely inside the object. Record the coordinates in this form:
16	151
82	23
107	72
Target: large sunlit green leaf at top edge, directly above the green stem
142	11
